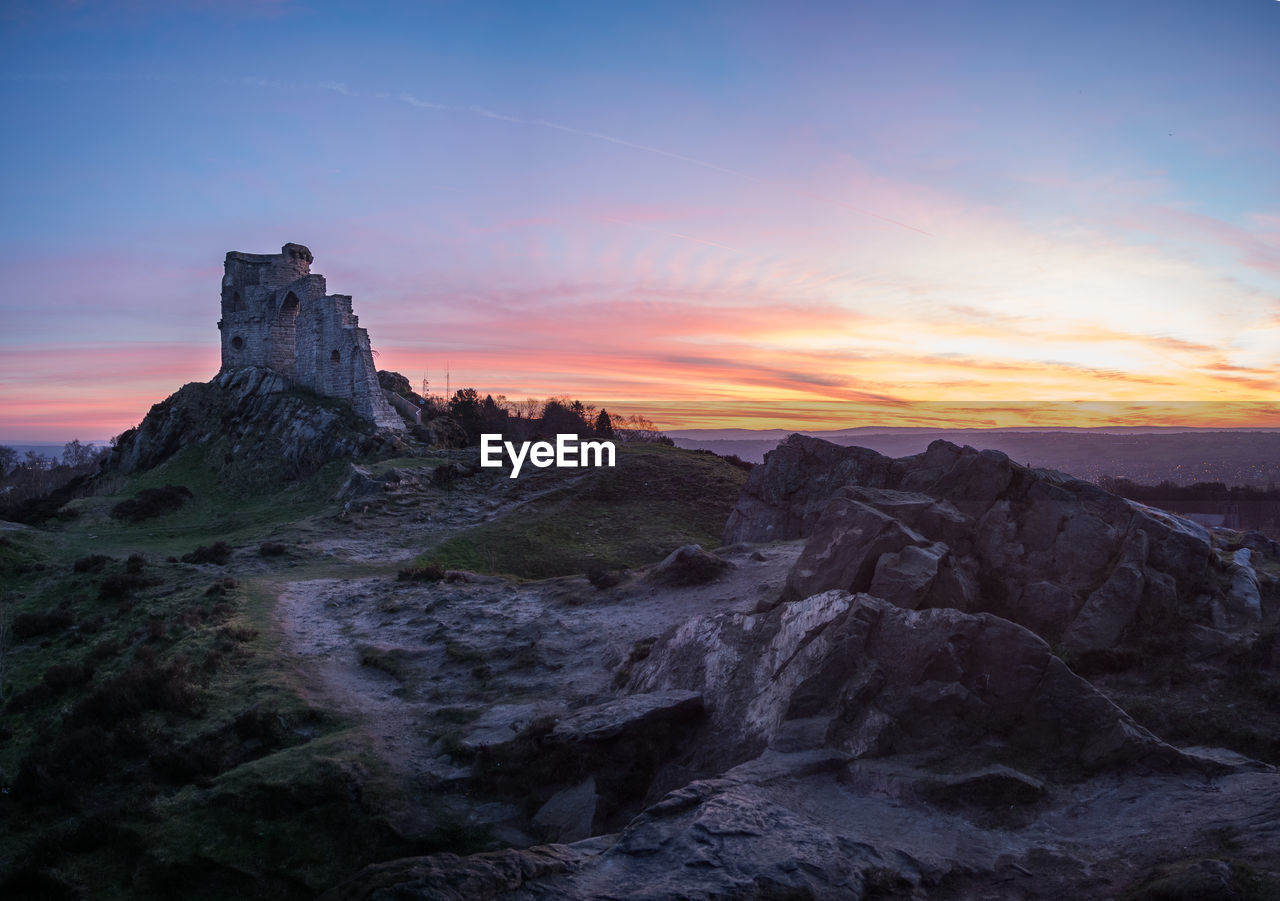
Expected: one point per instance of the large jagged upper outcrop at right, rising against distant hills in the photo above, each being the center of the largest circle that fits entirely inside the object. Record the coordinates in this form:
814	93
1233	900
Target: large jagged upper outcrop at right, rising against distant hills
957	528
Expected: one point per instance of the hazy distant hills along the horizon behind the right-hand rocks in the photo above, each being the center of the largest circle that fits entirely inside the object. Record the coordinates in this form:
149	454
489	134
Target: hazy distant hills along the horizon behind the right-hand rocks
1145	455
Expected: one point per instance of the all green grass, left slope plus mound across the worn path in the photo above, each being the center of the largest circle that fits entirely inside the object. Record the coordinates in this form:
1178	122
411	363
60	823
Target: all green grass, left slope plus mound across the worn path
154	739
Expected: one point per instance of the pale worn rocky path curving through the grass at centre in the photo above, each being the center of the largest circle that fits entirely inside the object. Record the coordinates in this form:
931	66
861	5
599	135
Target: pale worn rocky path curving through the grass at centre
418	664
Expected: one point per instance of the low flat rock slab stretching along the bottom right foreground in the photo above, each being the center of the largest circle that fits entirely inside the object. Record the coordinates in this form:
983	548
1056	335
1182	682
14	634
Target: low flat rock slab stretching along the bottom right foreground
806	826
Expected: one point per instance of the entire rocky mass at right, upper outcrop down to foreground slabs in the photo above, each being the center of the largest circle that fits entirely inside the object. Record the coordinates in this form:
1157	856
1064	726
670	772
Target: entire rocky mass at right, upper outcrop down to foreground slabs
898	716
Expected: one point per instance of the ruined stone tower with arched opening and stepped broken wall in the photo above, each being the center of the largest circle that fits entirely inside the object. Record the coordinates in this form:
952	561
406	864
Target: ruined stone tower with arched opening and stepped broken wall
277	314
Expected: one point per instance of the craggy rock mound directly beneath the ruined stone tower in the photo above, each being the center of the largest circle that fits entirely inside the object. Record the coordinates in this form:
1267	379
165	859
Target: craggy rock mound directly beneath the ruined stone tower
249	422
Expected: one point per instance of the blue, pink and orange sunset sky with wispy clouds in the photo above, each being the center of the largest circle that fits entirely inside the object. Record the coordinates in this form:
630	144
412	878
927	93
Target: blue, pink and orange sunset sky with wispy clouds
753	214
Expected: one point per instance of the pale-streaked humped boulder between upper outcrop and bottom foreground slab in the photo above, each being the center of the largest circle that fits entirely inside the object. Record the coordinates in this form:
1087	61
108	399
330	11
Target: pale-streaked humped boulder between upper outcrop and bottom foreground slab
889	680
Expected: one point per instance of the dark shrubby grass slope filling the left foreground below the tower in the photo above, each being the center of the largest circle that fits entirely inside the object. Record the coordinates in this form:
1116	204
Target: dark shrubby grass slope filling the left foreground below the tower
152	743
